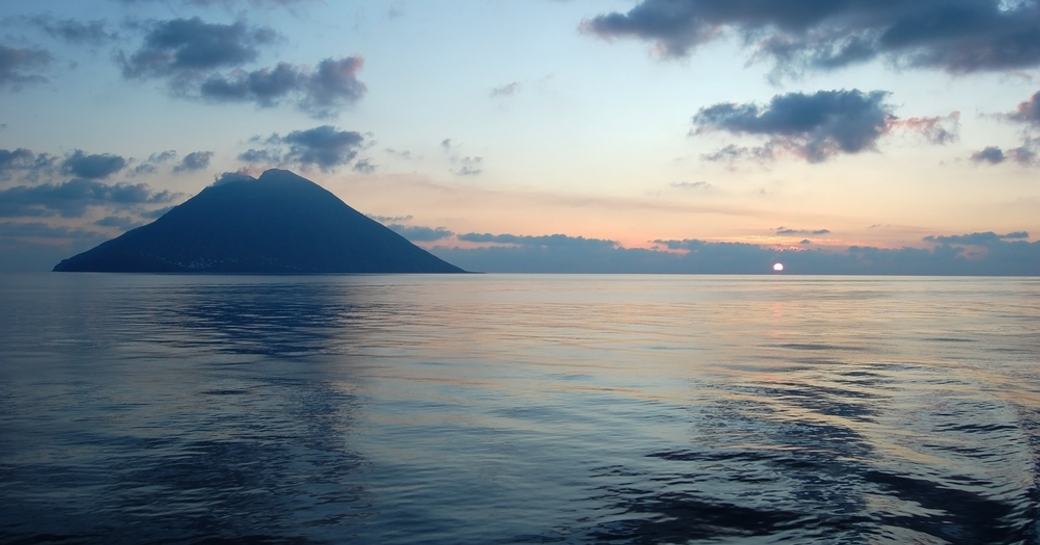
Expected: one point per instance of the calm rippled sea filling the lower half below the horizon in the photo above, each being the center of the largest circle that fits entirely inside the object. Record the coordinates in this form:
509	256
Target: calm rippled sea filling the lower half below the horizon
519	409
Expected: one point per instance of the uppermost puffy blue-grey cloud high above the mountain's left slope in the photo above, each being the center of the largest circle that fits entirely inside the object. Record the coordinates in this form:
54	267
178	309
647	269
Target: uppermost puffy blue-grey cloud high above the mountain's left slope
180	48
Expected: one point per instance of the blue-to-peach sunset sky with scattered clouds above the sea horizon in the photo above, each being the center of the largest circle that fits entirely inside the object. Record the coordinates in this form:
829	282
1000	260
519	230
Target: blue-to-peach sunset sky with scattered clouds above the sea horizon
852	137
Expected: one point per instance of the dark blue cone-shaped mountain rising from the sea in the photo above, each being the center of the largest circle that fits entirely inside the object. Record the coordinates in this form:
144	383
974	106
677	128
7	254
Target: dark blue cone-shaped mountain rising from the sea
278	224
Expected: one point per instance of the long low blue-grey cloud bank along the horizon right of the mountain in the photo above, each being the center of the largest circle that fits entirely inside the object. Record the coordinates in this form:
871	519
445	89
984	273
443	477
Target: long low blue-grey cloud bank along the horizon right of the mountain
1000	255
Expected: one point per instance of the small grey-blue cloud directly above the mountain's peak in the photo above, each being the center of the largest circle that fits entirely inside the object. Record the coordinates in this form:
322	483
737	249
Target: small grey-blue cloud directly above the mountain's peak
325	147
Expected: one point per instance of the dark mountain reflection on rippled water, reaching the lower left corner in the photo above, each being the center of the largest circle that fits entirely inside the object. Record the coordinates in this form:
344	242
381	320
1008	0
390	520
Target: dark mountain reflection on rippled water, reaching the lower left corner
170	449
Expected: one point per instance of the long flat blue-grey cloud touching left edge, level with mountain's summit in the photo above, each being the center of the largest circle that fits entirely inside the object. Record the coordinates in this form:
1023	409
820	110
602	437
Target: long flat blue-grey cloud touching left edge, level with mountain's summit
72	199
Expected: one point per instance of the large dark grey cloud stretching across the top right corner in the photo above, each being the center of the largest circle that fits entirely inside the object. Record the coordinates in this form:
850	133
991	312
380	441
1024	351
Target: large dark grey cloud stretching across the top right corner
954	36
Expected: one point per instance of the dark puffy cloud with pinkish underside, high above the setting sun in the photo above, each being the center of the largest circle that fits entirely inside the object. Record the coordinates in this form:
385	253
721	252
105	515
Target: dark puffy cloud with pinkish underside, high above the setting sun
815	126
